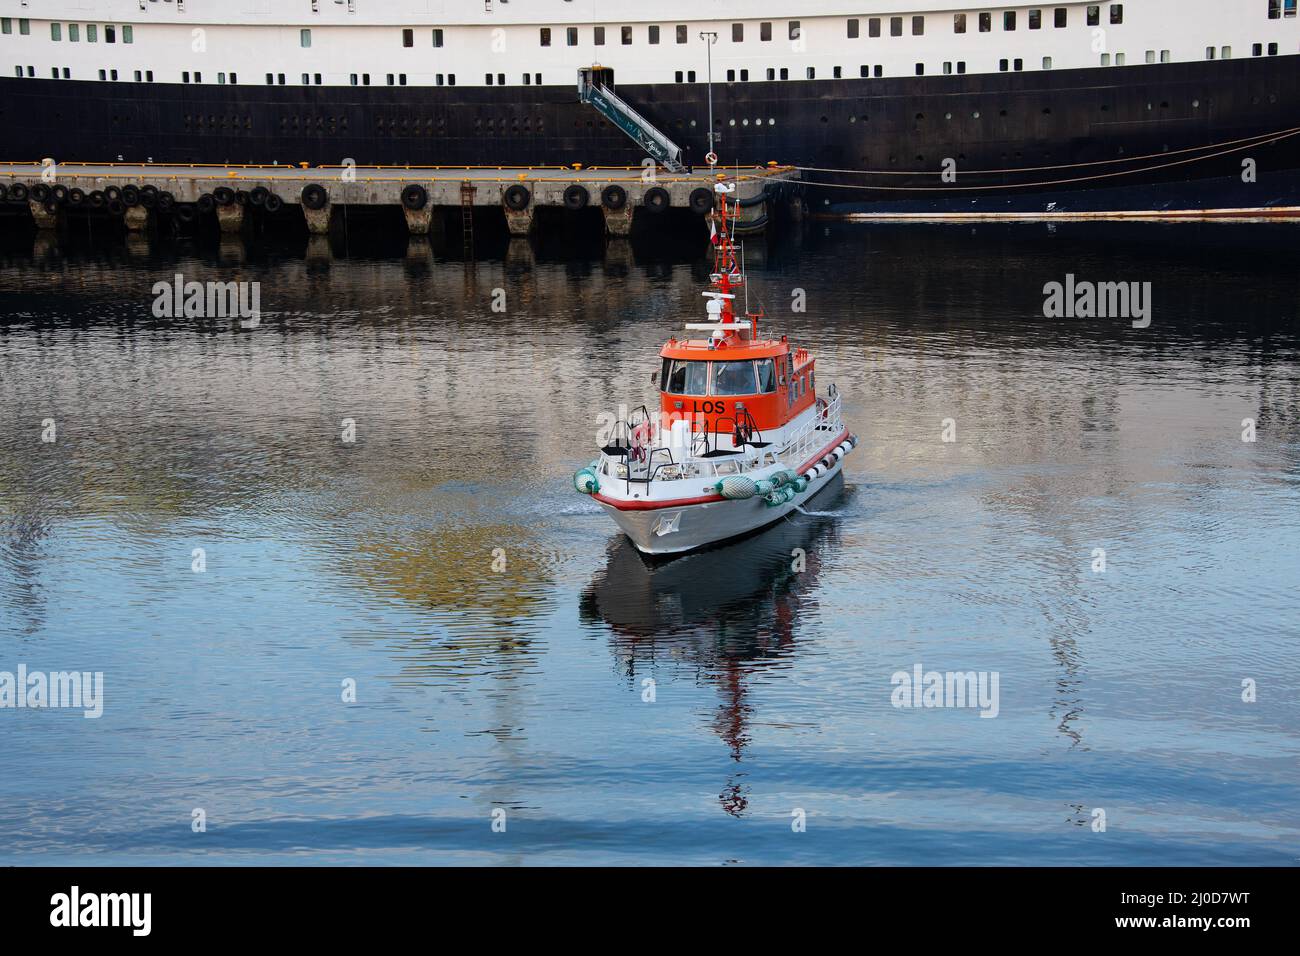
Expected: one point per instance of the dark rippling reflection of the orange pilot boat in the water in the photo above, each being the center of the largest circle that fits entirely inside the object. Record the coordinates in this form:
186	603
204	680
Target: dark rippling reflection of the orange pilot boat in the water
727	613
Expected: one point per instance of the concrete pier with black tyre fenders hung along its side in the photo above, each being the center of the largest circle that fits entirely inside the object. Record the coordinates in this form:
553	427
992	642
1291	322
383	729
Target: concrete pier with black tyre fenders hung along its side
232	194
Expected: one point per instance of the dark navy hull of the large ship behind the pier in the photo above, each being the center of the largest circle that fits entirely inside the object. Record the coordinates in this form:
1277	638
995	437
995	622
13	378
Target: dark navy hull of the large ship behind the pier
1124	140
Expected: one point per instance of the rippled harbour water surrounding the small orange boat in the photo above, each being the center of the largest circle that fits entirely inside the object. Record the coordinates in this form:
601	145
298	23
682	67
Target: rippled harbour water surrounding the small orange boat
523	689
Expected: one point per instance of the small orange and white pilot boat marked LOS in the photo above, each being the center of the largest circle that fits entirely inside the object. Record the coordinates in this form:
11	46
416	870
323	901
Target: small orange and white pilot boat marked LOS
742	436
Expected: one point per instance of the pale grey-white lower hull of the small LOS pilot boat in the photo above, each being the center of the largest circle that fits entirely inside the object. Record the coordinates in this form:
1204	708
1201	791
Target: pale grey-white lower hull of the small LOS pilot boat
677	530
